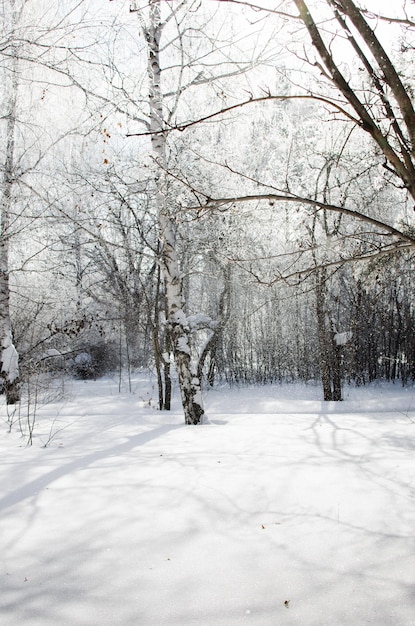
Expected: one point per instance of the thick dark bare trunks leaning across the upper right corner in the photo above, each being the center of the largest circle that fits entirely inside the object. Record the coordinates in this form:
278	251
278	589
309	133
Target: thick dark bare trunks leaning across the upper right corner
381	102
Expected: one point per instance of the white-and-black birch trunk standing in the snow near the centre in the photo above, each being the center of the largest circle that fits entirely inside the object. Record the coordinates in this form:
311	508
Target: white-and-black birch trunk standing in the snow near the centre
176	318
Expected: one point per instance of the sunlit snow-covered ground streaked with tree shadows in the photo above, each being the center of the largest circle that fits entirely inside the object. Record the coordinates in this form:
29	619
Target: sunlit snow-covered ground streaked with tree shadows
283	510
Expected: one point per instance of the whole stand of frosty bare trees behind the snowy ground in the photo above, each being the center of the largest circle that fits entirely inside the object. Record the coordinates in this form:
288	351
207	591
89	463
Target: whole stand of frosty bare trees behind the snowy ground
210	188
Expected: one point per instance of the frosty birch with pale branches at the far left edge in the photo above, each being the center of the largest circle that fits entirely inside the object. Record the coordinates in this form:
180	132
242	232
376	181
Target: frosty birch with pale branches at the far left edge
38	46
